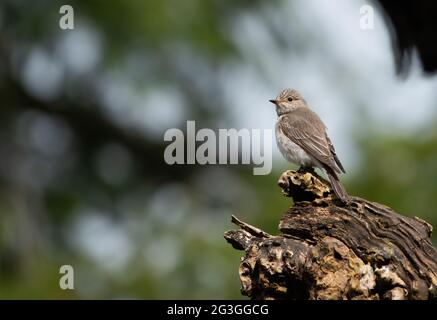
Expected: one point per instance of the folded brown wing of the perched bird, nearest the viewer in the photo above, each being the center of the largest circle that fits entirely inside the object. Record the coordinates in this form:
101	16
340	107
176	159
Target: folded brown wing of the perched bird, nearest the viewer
310	136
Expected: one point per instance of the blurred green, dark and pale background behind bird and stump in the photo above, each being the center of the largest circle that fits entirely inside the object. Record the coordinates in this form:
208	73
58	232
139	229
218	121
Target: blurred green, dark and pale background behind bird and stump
83	113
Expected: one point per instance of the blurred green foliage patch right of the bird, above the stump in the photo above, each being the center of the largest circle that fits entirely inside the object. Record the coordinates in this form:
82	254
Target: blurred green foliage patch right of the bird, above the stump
399	171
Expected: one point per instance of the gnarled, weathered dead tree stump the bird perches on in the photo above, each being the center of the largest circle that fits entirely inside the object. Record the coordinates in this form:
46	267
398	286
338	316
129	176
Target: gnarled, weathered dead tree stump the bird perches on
329	250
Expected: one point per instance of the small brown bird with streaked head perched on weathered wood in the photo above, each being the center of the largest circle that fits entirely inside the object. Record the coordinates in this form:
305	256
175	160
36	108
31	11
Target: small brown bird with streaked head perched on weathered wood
302	139
